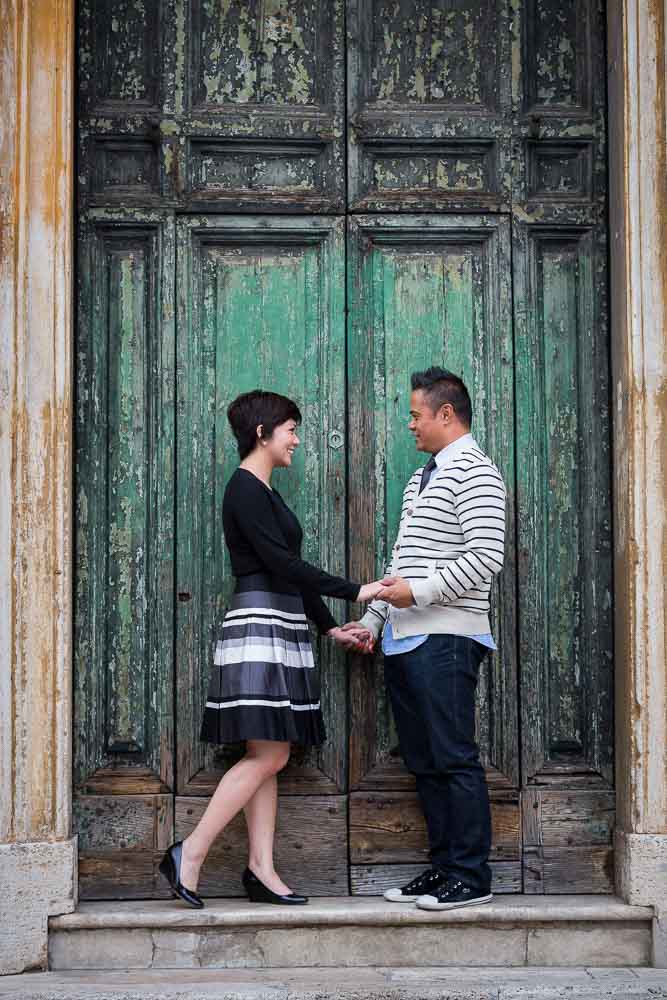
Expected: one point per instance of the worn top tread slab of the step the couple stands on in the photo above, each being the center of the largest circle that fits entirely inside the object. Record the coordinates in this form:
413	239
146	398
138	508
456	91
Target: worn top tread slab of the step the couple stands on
344	911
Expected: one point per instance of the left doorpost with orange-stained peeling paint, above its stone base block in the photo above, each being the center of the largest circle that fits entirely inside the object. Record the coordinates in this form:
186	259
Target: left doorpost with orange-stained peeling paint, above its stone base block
35	413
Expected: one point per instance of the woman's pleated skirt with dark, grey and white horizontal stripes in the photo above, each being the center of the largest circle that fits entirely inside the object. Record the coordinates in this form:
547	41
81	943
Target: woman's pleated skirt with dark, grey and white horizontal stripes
263	683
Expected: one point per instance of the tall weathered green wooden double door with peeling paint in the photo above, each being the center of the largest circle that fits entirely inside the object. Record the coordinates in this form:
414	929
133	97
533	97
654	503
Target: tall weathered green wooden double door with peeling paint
320	200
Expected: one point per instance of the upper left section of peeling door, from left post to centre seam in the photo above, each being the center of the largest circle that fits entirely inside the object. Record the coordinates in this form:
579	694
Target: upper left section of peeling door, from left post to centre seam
234	106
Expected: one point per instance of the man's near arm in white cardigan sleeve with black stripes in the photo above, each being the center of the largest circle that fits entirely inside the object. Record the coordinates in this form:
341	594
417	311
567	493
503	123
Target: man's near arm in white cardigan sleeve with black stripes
480	506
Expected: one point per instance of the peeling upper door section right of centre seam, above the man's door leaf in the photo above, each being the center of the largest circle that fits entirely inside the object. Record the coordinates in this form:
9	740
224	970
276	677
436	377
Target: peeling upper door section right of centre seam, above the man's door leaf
429	105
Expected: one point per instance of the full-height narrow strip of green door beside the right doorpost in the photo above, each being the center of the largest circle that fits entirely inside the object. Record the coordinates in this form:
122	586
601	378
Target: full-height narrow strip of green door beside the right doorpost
562	425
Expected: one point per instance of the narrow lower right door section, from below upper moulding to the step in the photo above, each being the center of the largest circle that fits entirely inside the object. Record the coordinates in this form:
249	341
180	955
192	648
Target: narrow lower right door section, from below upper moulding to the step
565	571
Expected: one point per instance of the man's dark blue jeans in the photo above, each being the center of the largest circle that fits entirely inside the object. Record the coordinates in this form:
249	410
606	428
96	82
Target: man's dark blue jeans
432	693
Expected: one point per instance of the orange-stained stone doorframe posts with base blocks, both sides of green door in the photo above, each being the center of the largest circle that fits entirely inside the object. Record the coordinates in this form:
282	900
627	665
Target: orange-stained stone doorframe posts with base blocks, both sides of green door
37	849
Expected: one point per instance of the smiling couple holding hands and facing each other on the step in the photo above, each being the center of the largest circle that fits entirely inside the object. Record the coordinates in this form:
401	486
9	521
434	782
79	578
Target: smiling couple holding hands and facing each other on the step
430	612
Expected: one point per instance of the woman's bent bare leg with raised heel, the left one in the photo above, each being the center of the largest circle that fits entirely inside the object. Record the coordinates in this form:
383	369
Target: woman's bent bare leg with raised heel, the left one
263	759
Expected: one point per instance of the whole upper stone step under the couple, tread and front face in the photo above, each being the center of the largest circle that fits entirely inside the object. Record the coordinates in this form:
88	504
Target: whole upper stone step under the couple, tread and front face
596	931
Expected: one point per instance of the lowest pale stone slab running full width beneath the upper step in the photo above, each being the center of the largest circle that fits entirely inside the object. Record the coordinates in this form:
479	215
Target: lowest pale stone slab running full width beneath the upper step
342	984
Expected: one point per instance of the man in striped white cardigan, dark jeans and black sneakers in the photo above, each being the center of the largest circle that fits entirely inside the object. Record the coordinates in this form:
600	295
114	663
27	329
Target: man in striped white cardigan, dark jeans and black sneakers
433	616
